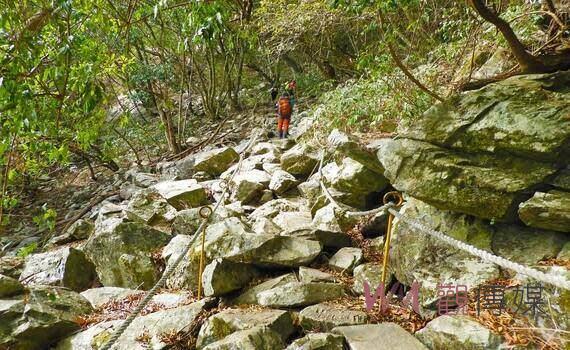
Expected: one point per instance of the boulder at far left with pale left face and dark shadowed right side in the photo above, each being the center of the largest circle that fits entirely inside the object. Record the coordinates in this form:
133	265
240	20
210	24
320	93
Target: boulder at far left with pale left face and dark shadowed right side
64	267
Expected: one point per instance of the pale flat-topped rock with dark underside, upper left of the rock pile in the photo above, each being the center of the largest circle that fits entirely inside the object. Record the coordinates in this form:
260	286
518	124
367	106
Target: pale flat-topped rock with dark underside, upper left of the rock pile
182	194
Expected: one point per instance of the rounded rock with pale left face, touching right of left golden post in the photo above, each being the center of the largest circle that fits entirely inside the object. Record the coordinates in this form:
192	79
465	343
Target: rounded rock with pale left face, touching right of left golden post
222	276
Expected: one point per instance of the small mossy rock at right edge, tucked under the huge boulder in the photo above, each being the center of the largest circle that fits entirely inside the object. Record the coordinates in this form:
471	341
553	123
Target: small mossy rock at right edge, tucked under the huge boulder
549	211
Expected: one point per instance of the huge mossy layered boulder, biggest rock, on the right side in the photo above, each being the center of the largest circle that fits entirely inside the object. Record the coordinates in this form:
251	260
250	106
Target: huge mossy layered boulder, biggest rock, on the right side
485	151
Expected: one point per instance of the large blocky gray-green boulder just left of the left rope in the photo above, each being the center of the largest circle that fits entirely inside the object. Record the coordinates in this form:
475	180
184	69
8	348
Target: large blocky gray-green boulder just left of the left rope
123	254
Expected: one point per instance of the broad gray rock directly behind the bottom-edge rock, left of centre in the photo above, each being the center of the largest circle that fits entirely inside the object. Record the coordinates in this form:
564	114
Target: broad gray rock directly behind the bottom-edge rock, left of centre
221	325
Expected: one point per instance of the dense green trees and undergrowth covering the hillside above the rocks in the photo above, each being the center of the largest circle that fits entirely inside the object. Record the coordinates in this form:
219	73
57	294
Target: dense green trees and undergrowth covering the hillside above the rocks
88	82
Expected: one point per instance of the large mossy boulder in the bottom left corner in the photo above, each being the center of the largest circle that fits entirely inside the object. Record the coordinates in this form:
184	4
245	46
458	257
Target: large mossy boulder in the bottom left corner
40	318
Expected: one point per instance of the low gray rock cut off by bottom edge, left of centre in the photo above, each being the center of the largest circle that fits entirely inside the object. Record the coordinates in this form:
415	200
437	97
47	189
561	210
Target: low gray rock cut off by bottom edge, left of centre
258	338
